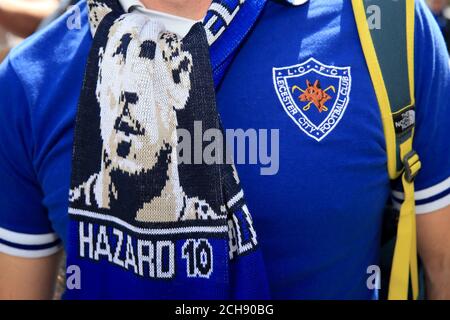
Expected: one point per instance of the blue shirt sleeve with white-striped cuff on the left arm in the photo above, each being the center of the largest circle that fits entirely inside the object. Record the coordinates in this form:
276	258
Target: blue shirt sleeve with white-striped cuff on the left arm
25	229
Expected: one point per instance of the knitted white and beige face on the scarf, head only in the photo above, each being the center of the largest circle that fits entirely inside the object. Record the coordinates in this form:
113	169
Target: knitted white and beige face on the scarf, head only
137	118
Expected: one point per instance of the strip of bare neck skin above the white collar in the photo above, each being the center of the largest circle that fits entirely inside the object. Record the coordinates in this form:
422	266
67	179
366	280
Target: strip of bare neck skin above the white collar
191	9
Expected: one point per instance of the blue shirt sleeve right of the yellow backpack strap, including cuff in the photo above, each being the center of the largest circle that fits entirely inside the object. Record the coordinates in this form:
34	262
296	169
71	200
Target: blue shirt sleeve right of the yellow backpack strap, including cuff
432	134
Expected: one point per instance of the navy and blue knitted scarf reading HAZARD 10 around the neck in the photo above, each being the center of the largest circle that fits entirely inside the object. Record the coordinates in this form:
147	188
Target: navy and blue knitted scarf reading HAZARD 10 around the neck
144	224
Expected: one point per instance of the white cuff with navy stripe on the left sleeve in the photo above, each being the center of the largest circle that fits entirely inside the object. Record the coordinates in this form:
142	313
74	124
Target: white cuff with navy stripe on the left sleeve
28	245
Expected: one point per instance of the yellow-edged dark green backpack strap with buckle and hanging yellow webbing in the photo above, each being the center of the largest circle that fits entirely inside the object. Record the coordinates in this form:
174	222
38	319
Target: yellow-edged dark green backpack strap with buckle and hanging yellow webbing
389	53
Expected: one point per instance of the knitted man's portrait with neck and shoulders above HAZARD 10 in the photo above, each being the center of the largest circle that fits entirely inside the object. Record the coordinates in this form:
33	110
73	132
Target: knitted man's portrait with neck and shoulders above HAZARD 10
144	80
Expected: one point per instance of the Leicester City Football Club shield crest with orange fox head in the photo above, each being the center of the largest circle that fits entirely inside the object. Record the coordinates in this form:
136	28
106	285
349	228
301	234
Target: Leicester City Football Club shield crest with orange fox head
314	95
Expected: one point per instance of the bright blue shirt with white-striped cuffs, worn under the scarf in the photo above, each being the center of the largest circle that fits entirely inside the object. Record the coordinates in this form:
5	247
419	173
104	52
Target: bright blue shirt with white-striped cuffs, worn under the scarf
318	219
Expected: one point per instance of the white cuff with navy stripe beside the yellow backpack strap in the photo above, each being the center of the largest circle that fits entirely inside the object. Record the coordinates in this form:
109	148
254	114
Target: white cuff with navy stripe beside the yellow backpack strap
429	199
